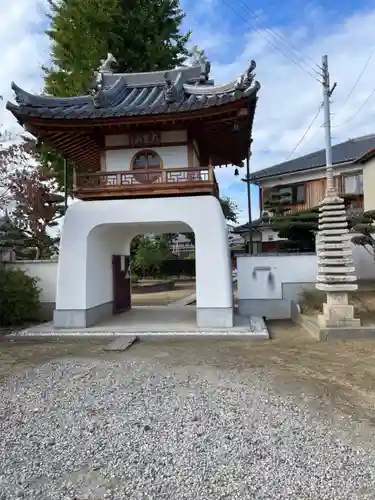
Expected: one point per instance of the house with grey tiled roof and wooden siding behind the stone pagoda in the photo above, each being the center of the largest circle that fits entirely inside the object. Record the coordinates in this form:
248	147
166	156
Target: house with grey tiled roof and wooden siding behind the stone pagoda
301	182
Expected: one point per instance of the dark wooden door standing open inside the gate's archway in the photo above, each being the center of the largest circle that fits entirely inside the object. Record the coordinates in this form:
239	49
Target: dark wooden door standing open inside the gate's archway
121	283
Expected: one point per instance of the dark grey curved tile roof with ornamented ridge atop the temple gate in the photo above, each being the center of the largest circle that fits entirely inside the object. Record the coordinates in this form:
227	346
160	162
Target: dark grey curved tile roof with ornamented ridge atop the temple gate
179	90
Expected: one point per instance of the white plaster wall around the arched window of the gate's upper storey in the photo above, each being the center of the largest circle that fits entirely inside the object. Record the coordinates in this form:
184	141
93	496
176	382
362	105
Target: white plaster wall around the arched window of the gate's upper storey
173	156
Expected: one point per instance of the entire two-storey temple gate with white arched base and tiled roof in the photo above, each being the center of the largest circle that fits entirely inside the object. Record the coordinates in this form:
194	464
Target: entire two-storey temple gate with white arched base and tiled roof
144	147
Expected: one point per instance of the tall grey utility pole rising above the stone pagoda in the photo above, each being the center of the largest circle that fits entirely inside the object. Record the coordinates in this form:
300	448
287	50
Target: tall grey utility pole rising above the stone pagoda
327	92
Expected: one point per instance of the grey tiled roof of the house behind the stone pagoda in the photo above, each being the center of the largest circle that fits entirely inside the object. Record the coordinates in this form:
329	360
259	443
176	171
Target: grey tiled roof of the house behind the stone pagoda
344	152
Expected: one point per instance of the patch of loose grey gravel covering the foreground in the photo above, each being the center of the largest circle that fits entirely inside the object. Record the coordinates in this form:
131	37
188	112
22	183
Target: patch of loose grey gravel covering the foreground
97	429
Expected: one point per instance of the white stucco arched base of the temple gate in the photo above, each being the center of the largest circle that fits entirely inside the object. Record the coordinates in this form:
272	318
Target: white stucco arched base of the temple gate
95	230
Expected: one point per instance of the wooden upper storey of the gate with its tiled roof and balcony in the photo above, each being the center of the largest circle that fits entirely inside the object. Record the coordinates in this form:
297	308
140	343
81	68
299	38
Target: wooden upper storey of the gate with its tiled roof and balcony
143	108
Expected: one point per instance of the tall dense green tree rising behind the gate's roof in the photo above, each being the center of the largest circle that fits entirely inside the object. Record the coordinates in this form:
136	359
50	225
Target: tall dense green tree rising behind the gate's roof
143	35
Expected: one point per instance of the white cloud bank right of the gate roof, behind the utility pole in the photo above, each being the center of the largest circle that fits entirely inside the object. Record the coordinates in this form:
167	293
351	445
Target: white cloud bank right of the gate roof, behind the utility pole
289	97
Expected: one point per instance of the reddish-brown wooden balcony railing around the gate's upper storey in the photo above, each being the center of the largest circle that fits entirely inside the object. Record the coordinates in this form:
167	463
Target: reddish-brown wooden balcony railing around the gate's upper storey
131	182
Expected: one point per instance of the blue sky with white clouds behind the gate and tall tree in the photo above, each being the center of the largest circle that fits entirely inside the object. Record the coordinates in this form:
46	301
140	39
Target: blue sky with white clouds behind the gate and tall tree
286	39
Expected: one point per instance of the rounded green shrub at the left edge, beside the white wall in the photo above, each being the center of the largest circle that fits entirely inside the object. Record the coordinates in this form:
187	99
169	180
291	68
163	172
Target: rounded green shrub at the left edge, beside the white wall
19	298
